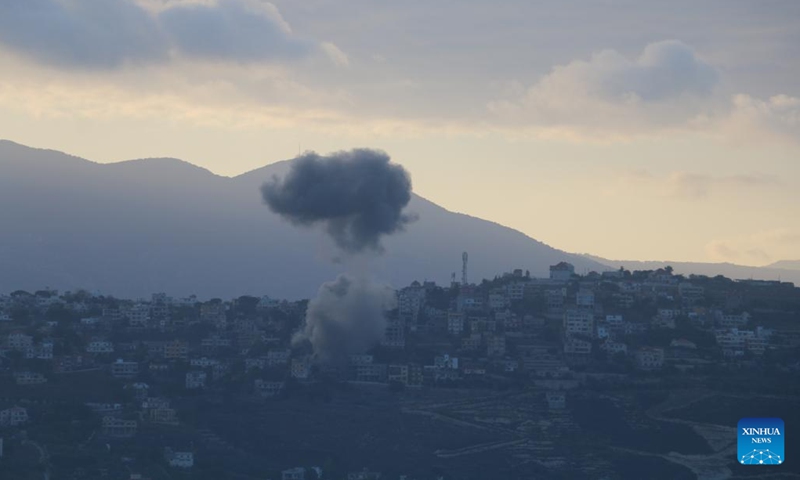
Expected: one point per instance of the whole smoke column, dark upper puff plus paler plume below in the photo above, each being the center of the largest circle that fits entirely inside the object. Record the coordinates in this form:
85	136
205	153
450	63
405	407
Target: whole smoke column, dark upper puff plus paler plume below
359	197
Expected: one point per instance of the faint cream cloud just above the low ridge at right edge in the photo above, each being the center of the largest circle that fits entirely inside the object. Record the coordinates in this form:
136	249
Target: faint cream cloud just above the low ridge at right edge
759	248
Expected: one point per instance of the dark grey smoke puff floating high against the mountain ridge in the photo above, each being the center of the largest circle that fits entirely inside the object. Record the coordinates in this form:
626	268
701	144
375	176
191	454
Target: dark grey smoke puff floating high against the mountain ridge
358	195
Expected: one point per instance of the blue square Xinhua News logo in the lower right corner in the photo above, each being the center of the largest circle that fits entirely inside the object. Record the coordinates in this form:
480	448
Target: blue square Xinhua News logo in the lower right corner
761	441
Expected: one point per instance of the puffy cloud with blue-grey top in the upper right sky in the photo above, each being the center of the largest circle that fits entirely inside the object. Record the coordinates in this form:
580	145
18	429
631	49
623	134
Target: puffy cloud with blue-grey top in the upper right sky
610	92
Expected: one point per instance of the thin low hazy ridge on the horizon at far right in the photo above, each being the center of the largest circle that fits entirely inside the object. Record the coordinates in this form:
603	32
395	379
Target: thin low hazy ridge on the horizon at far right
729	270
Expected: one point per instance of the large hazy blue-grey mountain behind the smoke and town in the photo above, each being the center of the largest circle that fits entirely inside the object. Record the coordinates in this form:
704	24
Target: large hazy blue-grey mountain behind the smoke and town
142	226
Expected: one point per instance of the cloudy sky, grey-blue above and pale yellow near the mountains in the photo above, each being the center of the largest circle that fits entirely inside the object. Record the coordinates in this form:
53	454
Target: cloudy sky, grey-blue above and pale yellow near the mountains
626	129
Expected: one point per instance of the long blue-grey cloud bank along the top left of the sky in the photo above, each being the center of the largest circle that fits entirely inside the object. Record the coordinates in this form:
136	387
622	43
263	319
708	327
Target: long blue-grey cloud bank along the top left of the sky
105	34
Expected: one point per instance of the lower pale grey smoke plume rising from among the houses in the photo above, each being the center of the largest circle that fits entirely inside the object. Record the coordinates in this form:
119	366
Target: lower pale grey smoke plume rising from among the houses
346	317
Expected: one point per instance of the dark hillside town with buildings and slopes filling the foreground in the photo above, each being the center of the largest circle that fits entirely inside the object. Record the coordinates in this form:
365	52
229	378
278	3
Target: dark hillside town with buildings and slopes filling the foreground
141	389
